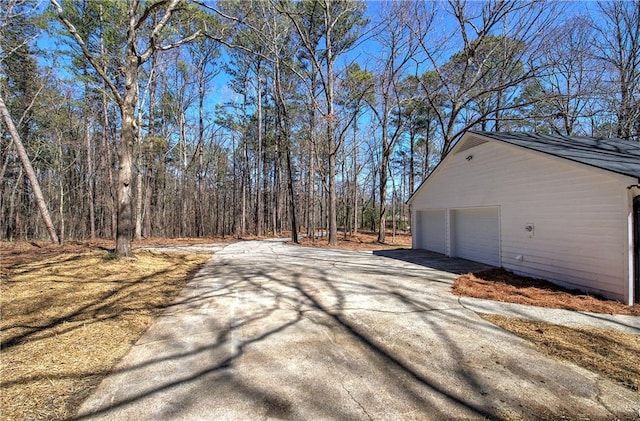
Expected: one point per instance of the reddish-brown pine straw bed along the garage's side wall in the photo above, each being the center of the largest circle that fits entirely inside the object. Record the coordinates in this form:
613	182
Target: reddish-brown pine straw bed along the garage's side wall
501	285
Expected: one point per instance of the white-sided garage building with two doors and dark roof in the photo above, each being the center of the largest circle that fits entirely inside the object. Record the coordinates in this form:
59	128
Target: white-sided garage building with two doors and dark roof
559	208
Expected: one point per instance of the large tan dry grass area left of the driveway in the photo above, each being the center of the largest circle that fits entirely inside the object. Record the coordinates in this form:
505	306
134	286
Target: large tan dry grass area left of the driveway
68	315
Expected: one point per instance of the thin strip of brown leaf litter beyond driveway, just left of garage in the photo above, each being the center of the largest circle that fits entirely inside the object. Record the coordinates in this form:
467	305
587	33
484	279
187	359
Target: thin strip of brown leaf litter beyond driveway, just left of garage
362	241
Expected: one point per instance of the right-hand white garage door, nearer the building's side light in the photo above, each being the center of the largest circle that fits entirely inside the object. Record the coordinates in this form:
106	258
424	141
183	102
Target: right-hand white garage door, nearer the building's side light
476	234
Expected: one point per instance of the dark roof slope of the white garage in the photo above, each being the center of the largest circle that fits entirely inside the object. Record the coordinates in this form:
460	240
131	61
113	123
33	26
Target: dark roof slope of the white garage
616	155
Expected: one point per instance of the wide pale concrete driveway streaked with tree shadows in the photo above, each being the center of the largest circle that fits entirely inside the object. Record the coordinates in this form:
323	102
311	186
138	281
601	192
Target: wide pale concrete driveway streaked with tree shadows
271	331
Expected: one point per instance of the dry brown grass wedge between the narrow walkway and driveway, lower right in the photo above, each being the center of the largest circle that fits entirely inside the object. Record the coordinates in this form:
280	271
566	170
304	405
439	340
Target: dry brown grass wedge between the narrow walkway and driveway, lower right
611	353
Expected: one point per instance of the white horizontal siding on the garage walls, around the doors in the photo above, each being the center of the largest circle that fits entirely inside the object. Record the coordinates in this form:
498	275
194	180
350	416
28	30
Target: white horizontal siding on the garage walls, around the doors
579	213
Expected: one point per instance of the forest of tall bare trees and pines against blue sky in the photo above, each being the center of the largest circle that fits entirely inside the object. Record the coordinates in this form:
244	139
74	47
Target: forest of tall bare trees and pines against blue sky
189	118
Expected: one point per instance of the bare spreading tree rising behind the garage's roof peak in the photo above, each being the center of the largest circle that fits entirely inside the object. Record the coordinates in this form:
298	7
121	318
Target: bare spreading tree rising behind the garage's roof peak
497	43
